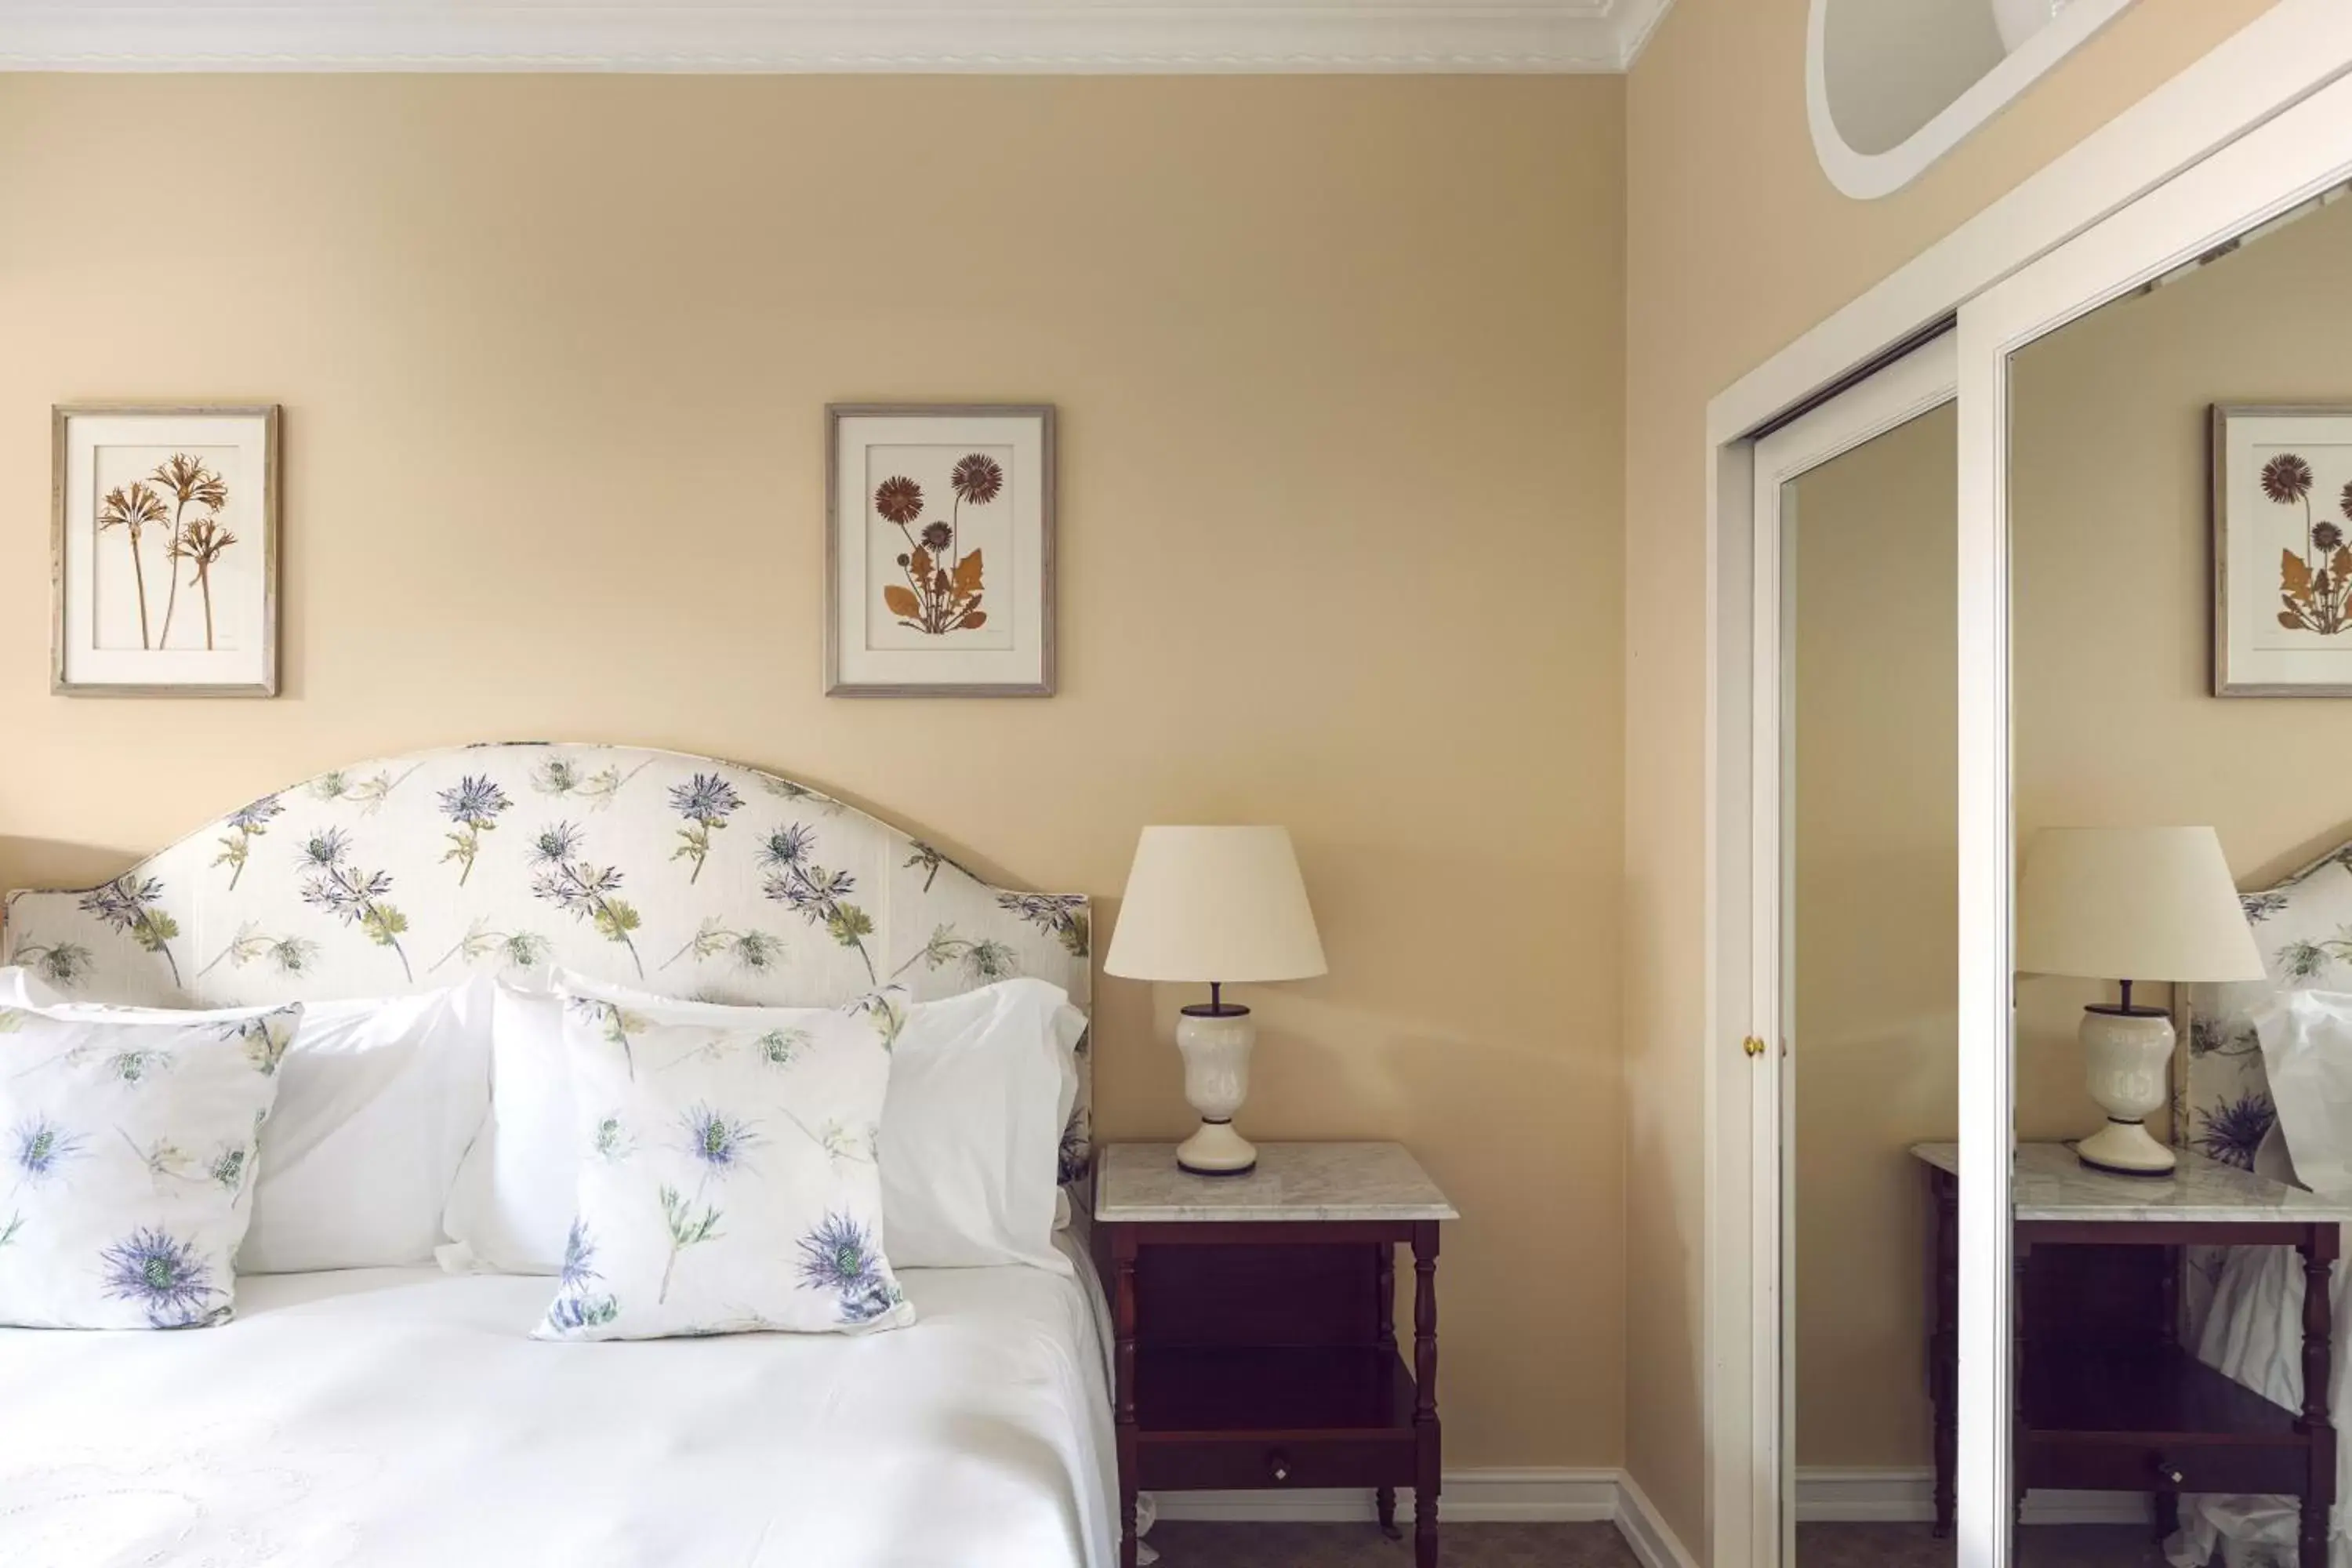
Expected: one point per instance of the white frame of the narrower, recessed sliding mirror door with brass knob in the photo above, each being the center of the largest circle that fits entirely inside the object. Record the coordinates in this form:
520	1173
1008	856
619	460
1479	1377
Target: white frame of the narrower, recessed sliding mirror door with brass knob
1895	396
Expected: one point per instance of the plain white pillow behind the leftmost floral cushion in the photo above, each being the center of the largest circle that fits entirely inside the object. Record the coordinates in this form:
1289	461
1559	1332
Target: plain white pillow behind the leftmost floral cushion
377	1101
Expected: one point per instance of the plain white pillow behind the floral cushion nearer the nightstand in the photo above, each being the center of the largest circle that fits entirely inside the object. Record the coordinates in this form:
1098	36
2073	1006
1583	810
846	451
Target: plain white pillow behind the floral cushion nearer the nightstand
980	1092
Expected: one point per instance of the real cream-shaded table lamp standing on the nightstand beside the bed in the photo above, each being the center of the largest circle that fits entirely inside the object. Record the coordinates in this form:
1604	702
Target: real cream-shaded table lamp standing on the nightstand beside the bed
1217	906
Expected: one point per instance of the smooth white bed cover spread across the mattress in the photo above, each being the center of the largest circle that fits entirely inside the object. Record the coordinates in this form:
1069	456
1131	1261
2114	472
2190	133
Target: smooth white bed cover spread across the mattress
385	1419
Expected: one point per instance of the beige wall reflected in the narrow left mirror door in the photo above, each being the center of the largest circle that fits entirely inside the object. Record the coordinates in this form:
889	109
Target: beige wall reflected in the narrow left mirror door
1876	927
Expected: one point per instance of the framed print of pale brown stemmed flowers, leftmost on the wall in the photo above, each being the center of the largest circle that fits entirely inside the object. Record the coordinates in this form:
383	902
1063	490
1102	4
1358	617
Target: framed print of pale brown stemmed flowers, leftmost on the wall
163	551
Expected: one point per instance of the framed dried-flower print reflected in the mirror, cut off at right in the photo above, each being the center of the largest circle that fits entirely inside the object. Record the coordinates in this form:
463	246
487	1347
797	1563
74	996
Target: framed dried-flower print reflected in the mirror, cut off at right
2283	551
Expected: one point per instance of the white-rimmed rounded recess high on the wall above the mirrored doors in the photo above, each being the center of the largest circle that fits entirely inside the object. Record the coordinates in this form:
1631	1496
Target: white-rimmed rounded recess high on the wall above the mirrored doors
1892	86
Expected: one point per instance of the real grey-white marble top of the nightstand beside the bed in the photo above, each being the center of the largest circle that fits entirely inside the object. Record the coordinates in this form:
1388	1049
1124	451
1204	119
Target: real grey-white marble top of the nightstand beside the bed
1295	1181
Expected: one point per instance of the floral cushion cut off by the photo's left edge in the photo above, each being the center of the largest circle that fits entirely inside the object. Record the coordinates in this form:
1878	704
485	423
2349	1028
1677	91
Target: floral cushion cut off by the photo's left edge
128	1165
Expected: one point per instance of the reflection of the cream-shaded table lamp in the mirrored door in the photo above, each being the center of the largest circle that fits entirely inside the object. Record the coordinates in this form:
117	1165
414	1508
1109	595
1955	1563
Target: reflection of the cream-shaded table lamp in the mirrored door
2130	904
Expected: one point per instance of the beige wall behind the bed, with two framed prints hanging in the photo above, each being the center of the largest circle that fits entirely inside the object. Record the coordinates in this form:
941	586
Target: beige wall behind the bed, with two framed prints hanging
1339	368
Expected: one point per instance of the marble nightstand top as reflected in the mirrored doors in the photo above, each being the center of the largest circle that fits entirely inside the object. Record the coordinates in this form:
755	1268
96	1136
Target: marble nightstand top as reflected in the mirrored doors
2050	1184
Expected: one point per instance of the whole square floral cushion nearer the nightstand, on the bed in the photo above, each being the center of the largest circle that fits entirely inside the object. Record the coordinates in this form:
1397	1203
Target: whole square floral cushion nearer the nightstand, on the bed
730	1179
